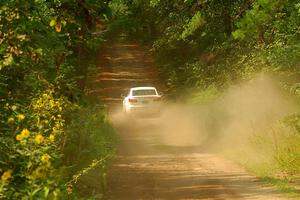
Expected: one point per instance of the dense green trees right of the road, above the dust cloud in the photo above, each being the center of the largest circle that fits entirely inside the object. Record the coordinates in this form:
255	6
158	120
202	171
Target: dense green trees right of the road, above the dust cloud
215	42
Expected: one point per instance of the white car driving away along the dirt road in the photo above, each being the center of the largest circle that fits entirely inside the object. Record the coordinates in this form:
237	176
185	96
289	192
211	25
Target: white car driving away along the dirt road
142	100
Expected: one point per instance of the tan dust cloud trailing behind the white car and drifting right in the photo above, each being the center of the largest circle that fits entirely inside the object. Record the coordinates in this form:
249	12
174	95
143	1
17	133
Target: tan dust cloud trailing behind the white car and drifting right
228	123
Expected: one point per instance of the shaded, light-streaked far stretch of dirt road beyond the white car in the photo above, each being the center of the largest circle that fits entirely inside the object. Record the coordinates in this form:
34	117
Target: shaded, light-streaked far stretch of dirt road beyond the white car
119	70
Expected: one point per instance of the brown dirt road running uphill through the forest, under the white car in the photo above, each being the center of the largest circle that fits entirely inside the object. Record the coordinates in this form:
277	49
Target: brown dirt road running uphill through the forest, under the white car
148	167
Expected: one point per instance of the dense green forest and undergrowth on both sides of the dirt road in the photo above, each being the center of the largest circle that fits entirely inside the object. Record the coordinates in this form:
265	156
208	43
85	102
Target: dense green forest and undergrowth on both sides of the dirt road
47	48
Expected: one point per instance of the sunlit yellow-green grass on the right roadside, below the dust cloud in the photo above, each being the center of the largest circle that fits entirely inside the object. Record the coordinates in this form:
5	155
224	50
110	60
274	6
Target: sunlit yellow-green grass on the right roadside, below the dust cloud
279	145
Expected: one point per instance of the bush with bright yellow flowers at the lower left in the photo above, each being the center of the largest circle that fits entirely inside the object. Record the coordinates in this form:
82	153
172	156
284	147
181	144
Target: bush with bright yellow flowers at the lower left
31	148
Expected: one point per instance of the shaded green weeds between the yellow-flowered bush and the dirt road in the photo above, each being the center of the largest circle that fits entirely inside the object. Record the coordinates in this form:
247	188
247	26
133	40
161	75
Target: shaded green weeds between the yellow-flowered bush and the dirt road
90	144
